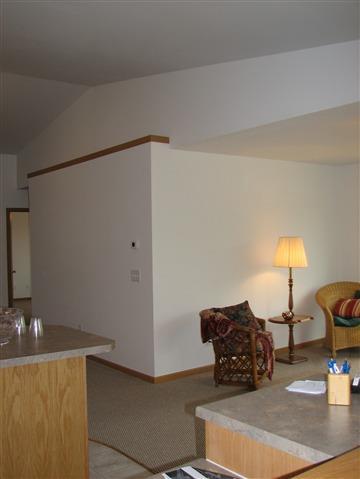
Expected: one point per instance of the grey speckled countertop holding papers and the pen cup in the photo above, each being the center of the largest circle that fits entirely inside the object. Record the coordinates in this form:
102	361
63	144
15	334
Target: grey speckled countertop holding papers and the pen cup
303	425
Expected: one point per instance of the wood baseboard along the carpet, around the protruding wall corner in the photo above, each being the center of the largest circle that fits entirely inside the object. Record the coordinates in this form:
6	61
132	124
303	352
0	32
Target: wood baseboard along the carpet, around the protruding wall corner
187	372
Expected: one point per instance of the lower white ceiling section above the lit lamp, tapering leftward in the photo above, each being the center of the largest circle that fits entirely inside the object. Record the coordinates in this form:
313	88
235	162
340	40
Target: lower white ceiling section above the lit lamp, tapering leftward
329	136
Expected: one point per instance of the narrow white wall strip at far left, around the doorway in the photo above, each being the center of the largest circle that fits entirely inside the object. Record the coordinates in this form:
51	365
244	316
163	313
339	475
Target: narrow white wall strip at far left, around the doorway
10	197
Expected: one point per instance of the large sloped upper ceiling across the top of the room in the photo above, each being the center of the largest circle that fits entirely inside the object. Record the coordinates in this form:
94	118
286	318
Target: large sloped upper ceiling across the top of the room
52	51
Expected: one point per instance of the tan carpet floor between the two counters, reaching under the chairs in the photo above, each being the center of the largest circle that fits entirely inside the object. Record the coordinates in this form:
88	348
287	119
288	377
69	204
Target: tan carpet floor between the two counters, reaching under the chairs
154	424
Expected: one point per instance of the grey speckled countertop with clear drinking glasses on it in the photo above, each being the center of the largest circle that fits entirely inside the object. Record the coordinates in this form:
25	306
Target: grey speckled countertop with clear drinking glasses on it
58	342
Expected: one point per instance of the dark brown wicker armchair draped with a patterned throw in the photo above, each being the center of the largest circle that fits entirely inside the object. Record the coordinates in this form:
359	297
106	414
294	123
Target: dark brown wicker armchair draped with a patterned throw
242	354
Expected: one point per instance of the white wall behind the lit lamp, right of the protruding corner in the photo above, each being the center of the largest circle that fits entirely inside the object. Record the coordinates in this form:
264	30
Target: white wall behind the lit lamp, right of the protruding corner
216	221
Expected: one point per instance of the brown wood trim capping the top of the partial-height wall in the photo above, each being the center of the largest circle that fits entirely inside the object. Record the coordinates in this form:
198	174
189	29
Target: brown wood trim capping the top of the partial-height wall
98	154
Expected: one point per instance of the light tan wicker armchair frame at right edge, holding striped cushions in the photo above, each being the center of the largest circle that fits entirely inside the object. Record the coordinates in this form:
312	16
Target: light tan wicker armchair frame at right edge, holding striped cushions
337	337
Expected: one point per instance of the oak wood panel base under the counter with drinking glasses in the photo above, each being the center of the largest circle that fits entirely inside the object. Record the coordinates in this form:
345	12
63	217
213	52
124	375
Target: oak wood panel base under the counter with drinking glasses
43	418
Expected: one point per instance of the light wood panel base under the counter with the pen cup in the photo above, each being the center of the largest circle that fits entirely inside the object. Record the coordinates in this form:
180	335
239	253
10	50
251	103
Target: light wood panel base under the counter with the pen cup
246	456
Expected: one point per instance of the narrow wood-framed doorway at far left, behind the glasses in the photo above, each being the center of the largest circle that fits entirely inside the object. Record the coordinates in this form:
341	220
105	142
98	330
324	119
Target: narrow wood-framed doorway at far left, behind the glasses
18	259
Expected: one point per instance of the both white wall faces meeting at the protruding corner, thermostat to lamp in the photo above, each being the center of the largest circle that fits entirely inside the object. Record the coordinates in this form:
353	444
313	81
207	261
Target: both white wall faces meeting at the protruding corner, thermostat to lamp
208	227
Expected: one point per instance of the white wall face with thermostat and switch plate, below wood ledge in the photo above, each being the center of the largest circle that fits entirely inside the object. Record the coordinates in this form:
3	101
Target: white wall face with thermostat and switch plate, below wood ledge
83	221
